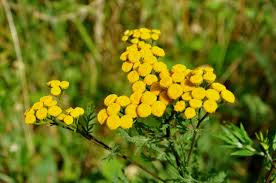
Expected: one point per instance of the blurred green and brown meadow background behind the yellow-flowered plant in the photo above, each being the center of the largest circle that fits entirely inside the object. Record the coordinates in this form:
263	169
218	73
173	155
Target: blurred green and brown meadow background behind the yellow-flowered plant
80	41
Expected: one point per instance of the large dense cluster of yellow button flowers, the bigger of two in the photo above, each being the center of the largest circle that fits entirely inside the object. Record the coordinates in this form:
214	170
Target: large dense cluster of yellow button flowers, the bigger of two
155	86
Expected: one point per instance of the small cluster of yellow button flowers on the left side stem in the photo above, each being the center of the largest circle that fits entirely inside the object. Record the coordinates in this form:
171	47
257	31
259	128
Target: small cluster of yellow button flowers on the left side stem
48	108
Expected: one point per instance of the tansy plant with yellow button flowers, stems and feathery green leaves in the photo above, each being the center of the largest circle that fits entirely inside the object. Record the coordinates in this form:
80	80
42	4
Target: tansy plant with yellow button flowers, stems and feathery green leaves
161	117
